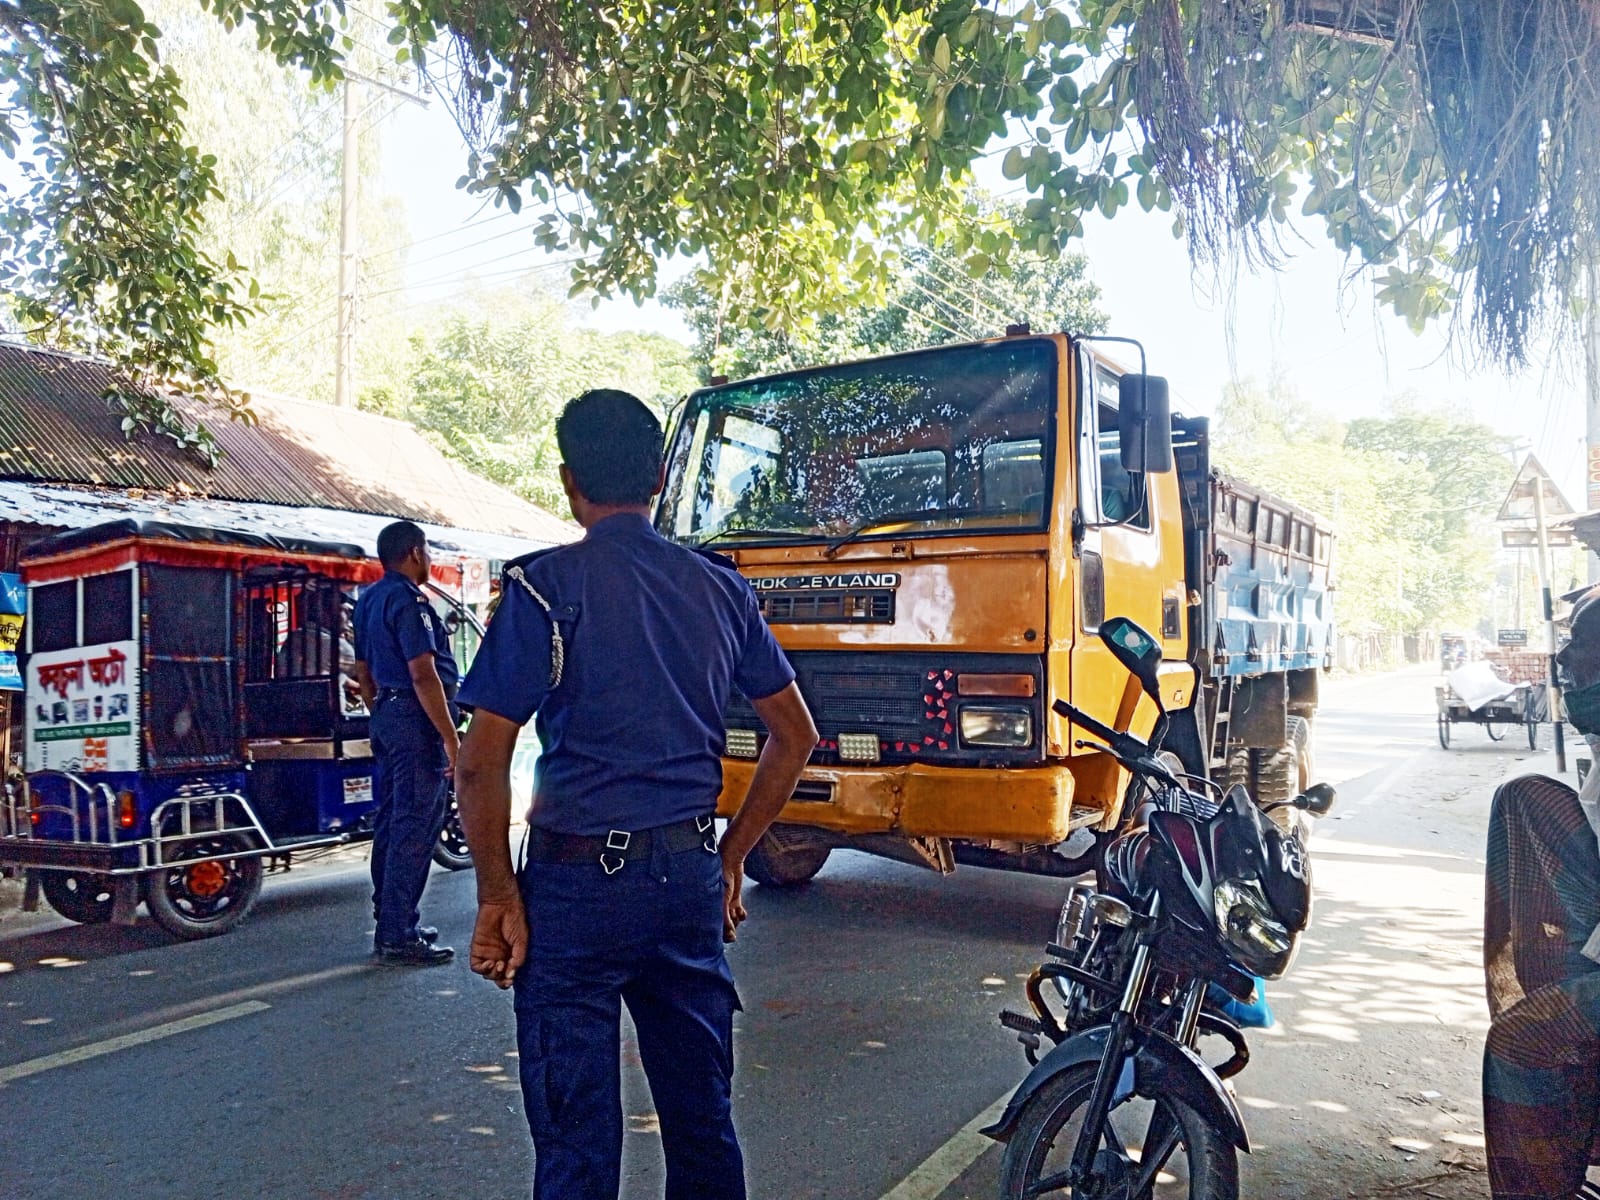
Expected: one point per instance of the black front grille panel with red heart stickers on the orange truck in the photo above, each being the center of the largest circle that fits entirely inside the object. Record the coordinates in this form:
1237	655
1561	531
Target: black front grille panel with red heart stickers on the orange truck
908	700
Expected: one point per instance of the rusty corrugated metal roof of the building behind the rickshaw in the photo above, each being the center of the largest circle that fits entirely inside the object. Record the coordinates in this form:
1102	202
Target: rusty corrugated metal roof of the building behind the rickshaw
57	428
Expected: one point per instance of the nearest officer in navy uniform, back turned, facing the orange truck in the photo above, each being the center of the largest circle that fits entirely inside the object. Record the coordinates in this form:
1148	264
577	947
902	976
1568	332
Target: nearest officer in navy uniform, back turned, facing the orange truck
625	647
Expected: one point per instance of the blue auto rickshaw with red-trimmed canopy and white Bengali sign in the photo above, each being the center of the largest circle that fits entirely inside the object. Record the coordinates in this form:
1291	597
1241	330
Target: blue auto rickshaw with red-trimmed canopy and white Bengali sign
191	721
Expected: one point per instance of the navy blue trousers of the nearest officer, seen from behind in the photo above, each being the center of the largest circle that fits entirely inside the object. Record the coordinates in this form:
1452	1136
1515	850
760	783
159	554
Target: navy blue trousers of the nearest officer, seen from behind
649	937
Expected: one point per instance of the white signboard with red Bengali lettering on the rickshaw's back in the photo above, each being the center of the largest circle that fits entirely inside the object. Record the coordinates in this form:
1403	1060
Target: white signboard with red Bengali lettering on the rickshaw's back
84	710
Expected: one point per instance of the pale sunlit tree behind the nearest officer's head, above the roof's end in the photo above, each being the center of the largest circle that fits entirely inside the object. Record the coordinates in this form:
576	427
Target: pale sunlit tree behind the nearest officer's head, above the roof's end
489	378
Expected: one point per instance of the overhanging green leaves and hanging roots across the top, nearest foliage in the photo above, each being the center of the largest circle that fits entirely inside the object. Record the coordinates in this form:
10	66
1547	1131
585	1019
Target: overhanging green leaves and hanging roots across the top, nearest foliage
793	145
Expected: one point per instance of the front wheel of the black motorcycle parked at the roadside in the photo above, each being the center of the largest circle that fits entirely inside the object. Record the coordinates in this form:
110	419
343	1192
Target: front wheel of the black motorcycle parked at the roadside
1193	1159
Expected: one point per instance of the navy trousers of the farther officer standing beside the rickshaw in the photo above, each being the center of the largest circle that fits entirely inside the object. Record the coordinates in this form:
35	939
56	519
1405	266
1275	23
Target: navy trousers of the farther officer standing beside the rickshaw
412	801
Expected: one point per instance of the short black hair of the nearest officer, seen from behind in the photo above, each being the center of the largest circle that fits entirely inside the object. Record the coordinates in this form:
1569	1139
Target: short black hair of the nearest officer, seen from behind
614	447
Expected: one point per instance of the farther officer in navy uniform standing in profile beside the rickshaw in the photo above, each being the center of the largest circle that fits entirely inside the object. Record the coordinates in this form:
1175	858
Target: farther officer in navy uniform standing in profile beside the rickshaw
409	681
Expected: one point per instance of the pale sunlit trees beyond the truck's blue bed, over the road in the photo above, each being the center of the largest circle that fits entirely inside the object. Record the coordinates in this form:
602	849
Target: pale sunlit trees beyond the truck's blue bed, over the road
1412	498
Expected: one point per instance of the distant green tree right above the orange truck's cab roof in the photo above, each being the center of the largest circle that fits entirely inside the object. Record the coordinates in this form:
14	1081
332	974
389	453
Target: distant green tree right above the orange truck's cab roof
930	302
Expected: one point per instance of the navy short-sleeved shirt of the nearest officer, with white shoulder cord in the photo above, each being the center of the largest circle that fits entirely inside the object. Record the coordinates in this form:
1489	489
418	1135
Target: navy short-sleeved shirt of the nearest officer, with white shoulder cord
655	638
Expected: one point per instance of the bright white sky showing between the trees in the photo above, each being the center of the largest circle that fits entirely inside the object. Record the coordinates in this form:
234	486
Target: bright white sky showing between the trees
1311	324
